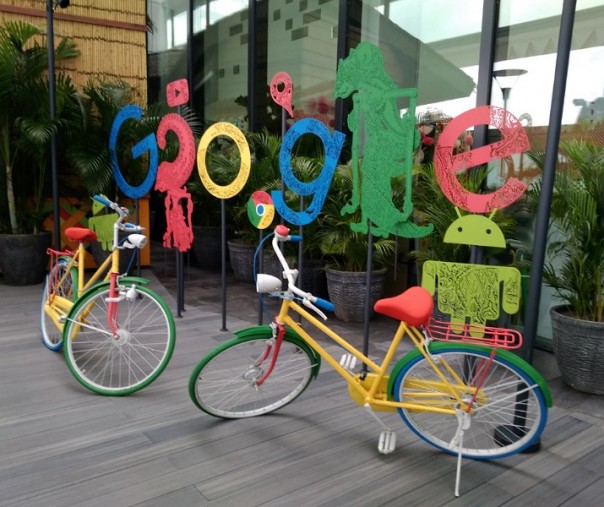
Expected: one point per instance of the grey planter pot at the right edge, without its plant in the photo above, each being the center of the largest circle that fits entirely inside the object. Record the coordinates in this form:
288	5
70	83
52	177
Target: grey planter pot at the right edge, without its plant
579	350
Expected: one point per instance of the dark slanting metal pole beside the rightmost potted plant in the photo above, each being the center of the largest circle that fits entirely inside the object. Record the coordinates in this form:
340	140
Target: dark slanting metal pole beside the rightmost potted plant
549	175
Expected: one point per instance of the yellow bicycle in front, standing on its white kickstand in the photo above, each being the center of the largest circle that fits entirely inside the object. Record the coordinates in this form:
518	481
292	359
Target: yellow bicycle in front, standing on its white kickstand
473	400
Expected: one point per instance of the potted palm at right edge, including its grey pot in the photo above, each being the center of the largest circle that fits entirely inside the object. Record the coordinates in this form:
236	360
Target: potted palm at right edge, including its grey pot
576	269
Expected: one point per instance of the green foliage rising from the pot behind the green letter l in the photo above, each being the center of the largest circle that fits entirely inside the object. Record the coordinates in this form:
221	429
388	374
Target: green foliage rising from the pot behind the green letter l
343	248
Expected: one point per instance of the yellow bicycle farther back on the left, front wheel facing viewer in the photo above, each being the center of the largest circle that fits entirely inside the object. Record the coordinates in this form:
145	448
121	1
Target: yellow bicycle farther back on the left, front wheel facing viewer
117	334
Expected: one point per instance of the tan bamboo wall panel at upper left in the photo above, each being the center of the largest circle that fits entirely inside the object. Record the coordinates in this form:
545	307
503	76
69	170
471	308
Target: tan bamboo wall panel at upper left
110	35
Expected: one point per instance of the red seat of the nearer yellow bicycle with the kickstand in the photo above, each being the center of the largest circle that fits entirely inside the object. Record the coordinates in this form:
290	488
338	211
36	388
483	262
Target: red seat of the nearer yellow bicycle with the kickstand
414	306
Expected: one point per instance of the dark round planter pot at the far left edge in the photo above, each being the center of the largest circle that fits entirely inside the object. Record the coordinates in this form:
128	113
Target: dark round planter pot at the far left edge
23	258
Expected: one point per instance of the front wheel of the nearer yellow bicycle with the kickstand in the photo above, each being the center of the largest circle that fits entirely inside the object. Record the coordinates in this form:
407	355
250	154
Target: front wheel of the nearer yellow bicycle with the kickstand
222	383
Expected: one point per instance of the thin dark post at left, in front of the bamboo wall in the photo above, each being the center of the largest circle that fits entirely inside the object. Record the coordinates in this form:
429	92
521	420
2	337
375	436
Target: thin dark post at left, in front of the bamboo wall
50	8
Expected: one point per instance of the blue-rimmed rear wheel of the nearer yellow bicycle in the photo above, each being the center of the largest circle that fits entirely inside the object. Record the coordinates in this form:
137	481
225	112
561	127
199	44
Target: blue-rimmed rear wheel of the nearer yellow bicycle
496	429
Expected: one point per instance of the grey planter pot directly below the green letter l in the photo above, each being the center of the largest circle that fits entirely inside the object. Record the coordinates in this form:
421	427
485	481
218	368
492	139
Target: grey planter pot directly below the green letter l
347	292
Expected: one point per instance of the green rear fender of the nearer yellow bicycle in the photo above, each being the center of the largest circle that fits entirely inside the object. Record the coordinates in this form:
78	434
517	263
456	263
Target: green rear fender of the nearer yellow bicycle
506	355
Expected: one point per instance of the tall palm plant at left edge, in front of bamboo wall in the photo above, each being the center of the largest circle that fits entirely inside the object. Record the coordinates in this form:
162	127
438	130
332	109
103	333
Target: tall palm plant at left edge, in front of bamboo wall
25	125
